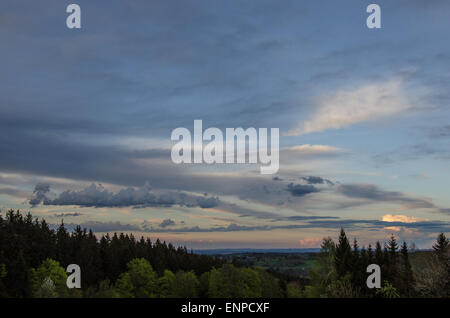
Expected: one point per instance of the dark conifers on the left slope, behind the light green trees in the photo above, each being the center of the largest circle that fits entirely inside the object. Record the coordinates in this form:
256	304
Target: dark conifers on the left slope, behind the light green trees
106	259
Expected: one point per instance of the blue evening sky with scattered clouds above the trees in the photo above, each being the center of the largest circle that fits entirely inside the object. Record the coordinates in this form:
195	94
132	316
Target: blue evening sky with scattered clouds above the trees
86	117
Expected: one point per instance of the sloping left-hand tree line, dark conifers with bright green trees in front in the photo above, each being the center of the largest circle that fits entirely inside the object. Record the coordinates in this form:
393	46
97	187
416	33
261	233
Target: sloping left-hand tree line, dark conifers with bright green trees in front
33	259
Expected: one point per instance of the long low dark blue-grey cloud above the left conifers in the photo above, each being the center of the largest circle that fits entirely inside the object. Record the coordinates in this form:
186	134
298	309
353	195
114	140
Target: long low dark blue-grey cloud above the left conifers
97	196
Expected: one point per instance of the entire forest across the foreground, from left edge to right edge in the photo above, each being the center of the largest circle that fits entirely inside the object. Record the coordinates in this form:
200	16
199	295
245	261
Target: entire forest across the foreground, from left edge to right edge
34	257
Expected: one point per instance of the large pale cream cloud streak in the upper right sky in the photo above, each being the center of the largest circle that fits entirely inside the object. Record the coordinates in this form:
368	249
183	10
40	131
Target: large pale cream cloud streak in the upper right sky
351	106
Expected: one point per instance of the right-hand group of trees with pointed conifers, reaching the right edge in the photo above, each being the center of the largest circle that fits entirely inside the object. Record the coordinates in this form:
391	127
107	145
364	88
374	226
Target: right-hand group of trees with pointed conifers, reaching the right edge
340	270
